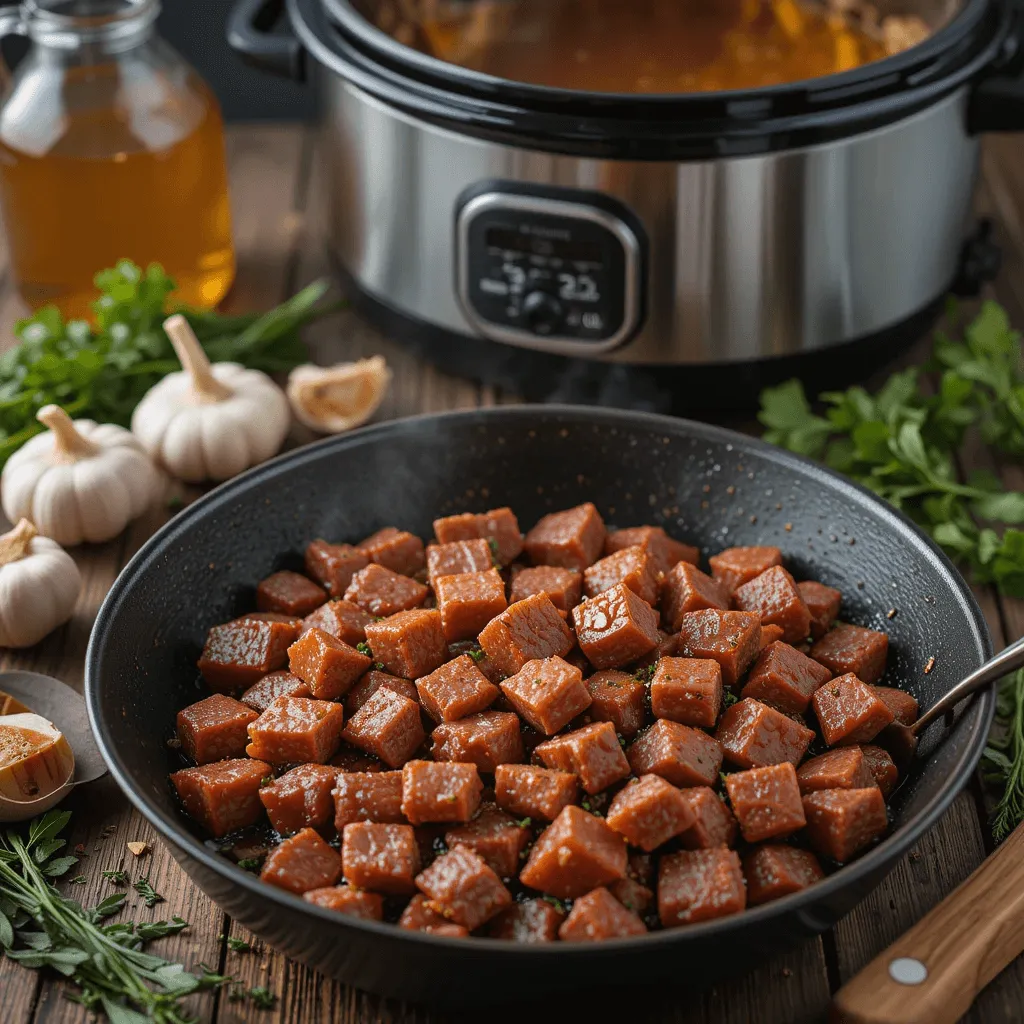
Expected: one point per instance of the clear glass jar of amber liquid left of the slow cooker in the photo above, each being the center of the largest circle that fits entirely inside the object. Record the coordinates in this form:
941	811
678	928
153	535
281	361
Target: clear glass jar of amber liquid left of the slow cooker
111	147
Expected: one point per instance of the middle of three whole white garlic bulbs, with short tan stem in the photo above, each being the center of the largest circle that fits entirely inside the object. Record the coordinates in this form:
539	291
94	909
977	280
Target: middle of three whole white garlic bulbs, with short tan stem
79	482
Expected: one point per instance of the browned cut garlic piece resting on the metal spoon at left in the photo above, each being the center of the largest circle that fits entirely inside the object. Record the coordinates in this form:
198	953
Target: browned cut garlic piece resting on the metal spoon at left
36	766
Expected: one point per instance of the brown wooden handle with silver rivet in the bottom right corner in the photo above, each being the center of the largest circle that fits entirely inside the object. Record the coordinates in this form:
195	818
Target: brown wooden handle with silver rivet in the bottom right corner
932	974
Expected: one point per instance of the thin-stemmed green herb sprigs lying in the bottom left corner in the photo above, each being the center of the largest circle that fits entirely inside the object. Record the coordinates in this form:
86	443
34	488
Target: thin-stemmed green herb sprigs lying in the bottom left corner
40	928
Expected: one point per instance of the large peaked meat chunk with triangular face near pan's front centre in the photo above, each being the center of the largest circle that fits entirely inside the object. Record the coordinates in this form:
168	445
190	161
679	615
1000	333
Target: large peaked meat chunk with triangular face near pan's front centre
576	854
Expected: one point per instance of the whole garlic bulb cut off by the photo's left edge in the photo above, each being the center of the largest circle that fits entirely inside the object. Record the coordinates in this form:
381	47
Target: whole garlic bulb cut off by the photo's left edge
39	585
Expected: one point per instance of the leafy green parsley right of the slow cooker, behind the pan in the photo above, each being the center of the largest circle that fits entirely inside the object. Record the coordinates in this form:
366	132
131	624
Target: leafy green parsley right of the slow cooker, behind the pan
903	443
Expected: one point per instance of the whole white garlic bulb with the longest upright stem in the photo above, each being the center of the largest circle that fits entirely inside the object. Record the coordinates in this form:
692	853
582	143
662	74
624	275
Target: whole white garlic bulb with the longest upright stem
210	422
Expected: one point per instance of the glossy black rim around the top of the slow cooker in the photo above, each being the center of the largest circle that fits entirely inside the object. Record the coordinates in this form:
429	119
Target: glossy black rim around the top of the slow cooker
692	126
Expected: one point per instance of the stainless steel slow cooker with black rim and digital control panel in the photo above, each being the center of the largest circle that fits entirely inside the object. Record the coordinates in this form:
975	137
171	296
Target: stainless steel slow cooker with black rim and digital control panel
739	230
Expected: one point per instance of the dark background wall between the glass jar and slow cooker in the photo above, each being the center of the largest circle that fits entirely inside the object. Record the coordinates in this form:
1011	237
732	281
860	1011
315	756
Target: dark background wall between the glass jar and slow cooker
196	29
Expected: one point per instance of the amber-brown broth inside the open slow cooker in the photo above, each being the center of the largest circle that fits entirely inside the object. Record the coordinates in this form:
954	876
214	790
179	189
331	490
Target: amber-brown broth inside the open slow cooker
650	47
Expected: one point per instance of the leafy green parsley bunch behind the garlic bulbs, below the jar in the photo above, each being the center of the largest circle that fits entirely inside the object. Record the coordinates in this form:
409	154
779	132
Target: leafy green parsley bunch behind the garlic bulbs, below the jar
102	371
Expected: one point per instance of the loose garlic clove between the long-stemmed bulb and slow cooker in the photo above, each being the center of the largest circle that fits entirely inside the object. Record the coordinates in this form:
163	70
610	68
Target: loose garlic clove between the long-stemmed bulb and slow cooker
335	399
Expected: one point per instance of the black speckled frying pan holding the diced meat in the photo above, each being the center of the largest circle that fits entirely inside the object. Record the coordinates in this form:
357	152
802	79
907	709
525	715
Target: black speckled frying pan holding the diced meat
707	486
